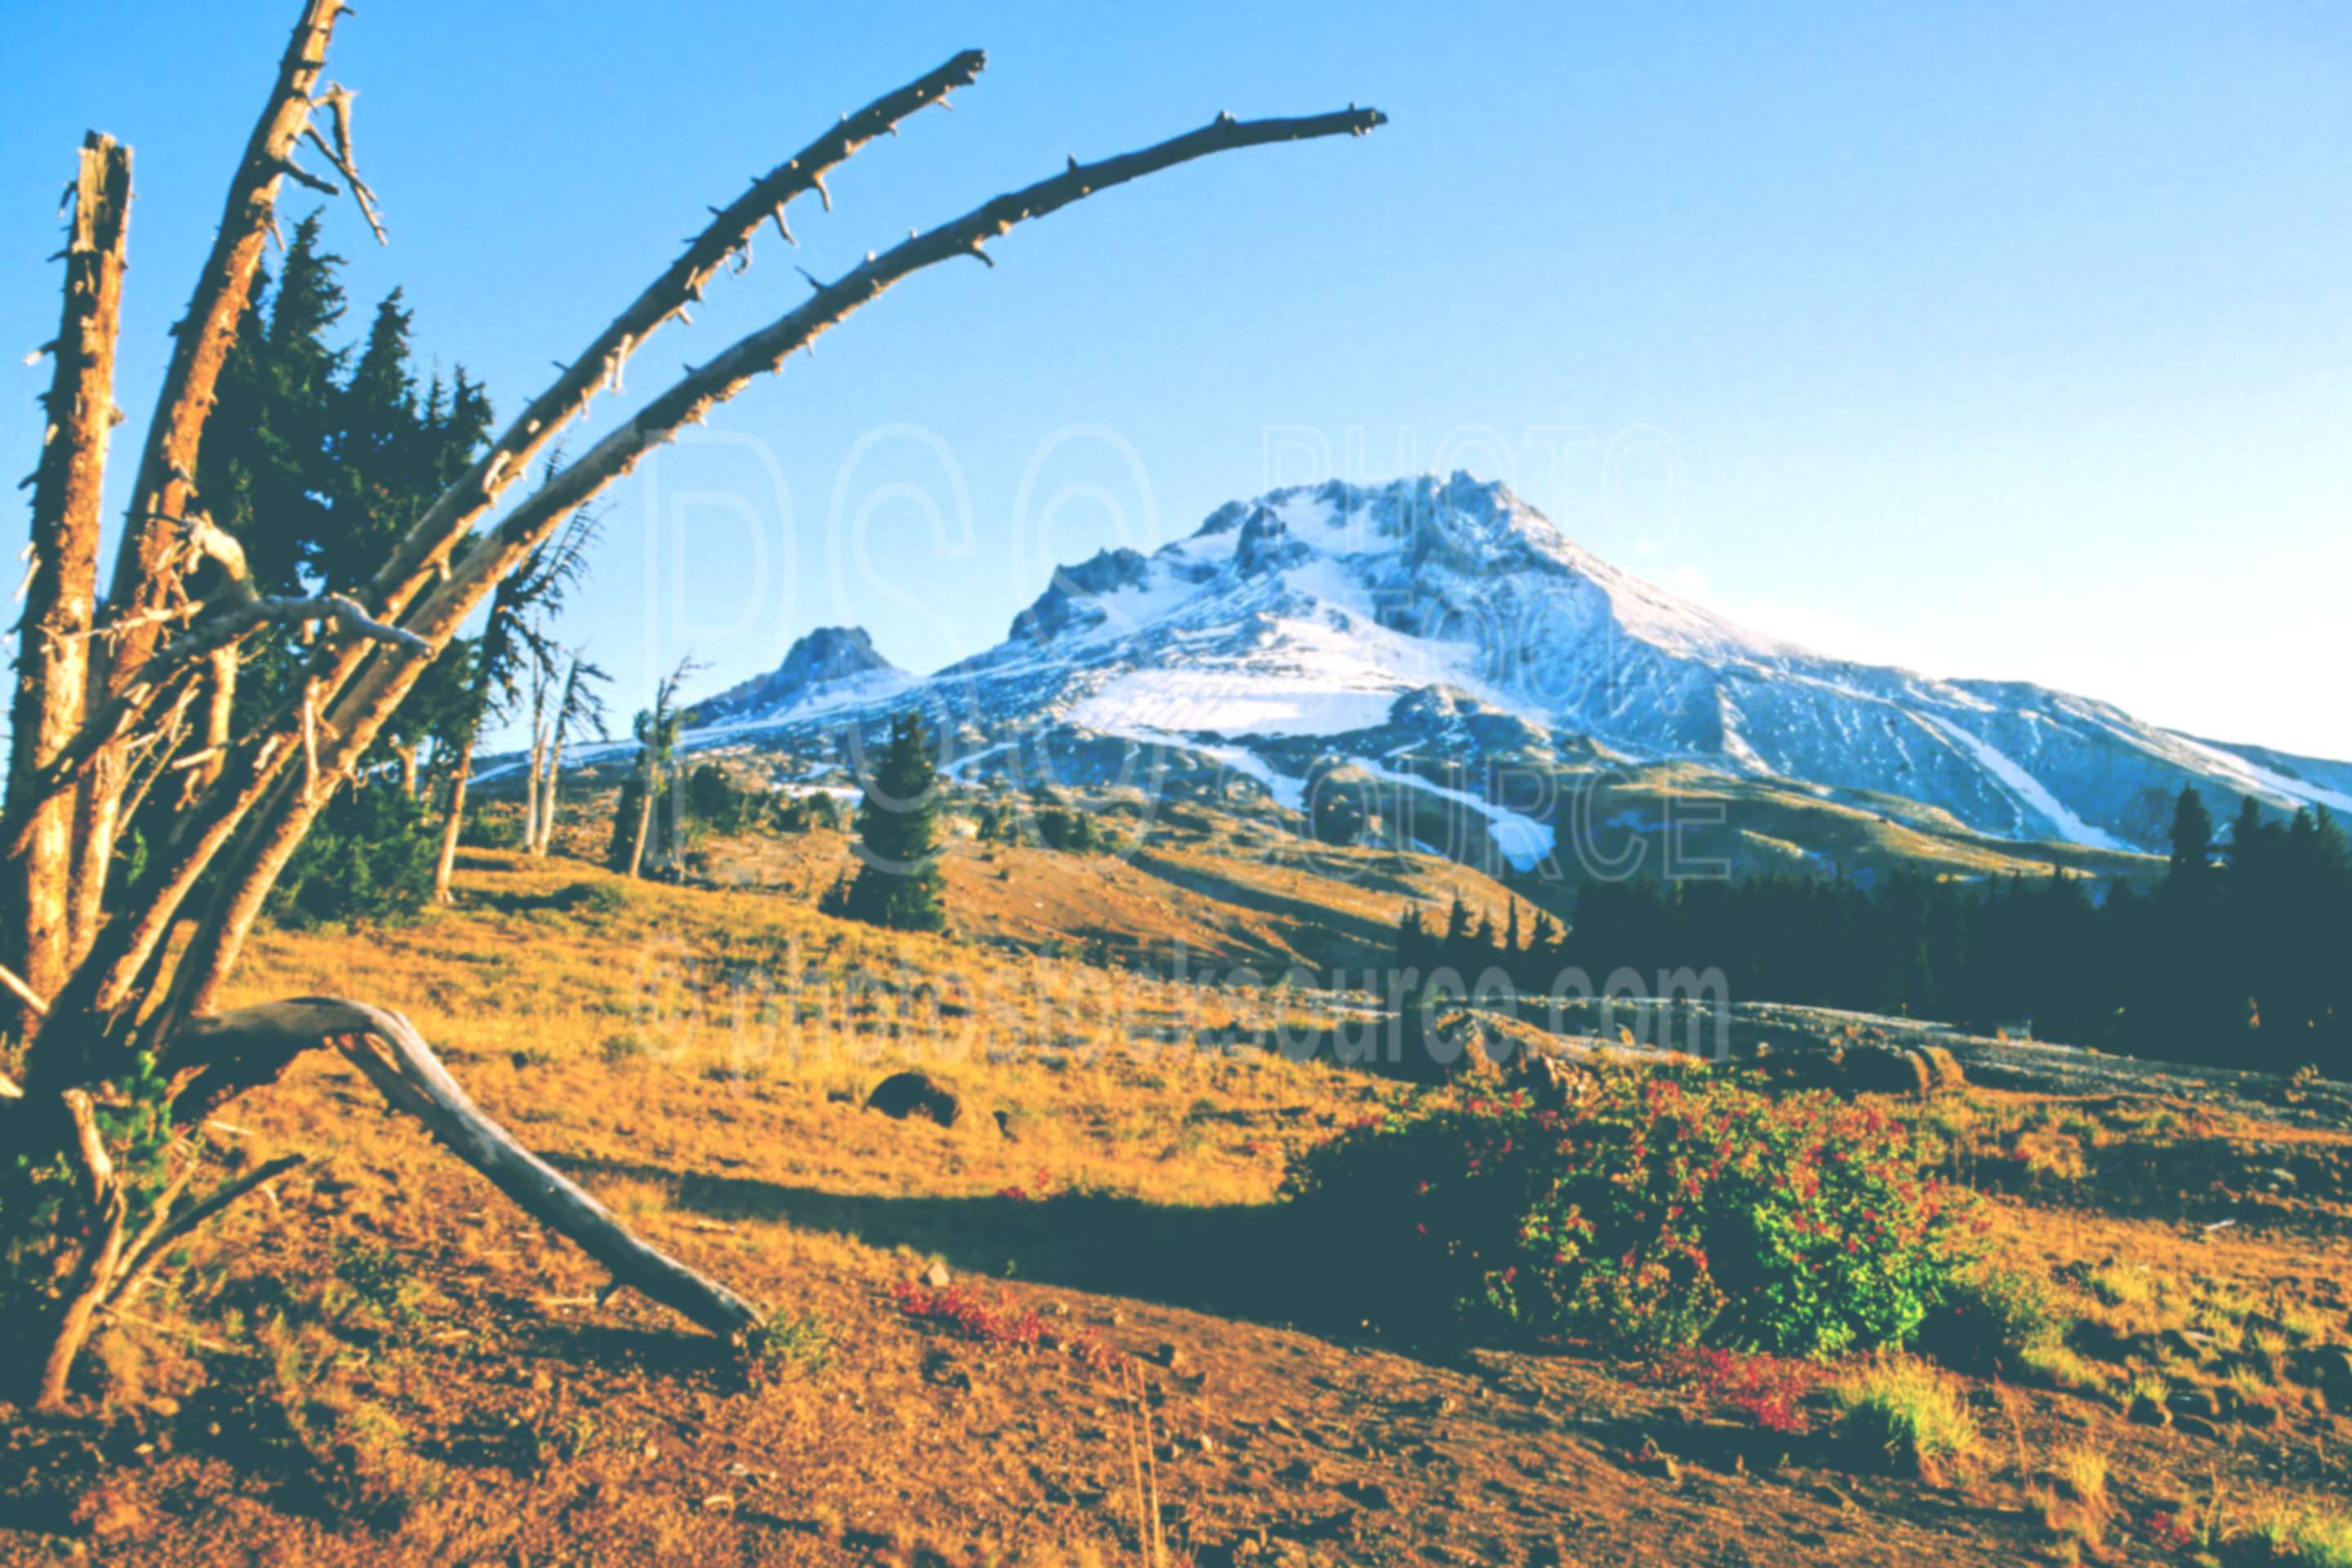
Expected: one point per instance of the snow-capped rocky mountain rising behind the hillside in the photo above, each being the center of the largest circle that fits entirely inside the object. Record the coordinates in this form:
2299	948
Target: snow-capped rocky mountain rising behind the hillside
1448	622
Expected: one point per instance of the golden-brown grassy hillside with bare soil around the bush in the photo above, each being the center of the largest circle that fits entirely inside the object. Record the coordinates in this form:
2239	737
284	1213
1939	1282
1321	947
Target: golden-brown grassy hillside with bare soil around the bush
385	1360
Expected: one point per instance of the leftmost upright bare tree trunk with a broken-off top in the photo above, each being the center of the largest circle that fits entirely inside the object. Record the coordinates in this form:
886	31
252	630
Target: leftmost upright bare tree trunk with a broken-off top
60	596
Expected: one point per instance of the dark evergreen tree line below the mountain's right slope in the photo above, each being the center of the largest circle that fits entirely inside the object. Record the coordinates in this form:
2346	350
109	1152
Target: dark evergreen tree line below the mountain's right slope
2240	956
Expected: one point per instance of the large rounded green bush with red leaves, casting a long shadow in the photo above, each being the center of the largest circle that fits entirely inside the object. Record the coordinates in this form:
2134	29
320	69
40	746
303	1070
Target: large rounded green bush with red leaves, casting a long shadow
1657	1214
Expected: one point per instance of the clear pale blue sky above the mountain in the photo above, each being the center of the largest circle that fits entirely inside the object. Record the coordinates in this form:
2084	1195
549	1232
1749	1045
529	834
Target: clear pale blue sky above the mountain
1993	340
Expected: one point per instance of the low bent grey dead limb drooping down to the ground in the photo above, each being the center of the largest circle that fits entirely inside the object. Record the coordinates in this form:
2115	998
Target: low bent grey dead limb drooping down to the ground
258	1043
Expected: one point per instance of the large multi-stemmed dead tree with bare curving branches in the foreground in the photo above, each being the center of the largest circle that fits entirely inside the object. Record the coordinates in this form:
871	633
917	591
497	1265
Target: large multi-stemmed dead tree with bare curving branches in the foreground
180	612
